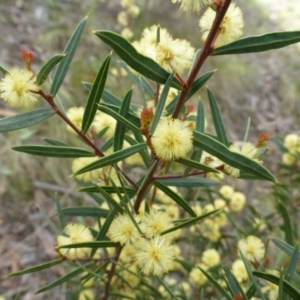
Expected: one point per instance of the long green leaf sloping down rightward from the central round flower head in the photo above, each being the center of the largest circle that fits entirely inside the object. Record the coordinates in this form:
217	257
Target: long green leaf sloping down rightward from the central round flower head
233	159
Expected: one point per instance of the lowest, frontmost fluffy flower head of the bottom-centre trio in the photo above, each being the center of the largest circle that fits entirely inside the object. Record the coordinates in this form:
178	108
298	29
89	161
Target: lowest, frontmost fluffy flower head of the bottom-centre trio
155	256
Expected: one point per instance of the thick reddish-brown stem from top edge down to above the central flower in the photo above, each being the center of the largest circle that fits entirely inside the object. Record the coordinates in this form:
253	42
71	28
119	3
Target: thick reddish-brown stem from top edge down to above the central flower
206	51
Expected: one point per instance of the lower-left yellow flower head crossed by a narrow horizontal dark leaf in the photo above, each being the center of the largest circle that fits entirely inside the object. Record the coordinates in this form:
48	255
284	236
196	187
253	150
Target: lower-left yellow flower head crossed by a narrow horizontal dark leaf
75	233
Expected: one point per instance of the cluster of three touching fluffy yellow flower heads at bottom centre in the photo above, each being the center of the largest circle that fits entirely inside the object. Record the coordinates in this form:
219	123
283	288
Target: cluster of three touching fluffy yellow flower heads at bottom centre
152	253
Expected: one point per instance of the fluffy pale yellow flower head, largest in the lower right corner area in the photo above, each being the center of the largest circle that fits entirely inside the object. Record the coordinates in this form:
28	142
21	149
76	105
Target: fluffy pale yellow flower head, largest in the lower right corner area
252	248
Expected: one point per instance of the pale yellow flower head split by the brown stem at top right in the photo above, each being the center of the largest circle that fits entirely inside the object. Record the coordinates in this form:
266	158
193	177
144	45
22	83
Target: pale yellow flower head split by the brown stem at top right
231	27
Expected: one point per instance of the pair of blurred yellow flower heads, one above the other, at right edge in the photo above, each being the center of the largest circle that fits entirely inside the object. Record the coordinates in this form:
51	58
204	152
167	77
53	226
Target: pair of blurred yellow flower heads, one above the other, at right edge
292	144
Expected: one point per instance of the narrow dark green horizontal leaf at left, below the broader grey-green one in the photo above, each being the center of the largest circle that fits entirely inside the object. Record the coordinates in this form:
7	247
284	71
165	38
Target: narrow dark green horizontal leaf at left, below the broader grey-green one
54	151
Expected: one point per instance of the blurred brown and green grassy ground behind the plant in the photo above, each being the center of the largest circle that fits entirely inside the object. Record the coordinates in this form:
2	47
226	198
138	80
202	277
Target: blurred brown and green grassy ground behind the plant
263	86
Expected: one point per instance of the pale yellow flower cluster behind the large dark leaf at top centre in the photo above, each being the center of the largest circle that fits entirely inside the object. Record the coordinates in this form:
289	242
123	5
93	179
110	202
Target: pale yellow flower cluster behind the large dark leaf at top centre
173	55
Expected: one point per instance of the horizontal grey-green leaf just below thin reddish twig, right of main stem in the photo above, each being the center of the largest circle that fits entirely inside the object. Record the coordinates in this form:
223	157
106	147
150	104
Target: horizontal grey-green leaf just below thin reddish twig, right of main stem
188	182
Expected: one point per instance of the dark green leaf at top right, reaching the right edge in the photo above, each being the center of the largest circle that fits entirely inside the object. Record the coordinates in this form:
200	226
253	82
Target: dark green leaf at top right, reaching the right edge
251	44
